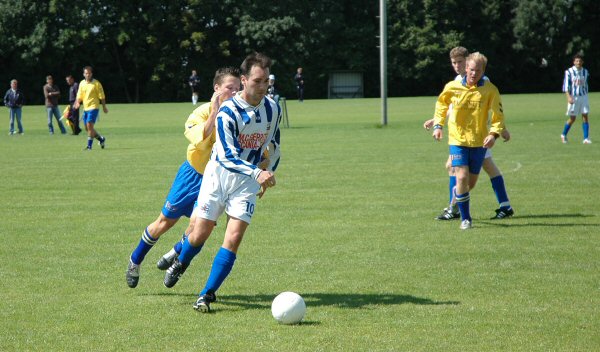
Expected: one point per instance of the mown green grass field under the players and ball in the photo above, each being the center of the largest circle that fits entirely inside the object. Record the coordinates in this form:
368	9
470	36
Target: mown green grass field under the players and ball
350	227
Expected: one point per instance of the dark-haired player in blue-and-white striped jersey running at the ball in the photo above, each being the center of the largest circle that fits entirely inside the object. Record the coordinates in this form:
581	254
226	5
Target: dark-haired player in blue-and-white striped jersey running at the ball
247	125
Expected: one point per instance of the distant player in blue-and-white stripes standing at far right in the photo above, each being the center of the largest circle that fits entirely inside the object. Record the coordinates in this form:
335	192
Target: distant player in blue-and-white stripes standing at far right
576	88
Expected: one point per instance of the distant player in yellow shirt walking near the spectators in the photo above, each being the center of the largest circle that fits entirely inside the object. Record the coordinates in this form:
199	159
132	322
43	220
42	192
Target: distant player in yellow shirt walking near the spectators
91	95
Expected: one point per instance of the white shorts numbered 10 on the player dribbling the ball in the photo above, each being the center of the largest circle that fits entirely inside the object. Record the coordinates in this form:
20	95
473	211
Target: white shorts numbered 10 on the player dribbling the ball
223	190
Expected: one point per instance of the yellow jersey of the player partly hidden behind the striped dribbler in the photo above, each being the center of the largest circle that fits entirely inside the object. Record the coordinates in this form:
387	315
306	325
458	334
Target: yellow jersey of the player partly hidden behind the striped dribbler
200	146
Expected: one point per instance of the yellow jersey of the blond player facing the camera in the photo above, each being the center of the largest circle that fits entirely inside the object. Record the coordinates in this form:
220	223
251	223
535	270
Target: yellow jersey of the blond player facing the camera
468	118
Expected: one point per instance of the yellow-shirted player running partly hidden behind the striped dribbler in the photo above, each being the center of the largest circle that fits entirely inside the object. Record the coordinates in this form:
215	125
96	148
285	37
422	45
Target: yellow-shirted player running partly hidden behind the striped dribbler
200	131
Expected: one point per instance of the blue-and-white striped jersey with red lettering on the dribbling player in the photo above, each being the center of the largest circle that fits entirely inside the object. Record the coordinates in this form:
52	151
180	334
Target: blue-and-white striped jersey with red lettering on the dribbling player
244	132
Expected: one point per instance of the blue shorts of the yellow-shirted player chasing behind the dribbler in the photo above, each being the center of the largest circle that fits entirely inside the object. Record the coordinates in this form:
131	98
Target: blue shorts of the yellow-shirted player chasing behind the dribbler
184	192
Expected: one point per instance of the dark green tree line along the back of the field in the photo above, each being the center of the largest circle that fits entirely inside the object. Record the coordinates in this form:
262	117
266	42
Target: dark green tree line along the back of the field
144	50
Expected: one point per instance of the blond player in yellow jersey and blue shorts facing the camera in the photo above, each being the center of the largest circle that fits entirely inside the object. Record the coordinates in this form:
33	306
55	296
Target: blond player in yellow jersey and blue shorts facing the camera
472	99
